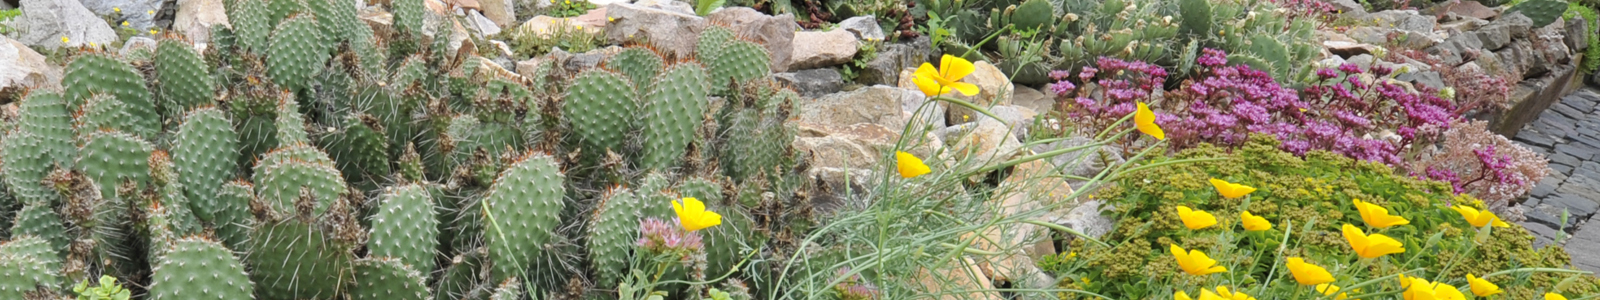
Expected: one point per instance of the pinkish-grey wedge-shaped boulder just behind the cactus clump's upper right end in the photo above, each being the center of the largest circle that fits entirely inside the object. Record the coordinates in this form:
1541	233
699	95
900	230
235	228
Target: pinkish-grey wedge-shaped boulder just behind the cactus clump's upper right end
774	33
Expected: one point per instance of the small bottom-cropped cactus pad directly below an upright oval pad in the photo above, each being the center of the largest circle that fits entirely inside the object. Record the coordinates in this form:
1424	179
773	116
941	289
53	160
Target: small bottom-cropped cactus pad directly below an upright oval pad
386	278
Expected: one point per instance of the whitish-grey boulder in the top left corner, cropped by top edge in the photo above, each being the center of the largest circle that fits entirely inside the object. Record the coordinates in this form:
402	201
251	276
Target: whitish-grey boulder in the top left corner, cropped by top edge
58	23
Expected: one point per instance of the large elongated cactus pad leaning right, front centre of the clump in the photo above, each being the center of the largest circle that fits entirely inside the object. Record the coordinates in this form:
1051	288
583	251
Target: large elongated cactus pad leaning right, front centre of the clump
524	208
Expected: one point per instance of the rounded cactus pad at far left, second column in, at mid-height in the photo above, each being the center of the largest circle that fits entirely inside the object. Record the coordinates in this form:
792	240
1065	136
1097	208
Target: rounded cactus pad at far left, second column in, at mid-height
111	157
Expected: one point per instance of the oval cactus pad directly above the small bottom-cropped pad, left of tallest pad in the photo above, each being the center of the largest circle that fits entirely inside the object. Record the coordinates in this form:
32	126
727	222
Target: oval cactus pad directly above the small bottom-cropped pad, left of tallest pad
406	227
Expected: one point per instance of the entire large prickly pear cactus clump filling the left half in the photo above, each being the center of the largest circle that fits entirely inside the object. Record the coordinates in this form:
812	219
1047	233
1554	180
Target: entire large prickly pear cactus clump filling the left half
297	160
